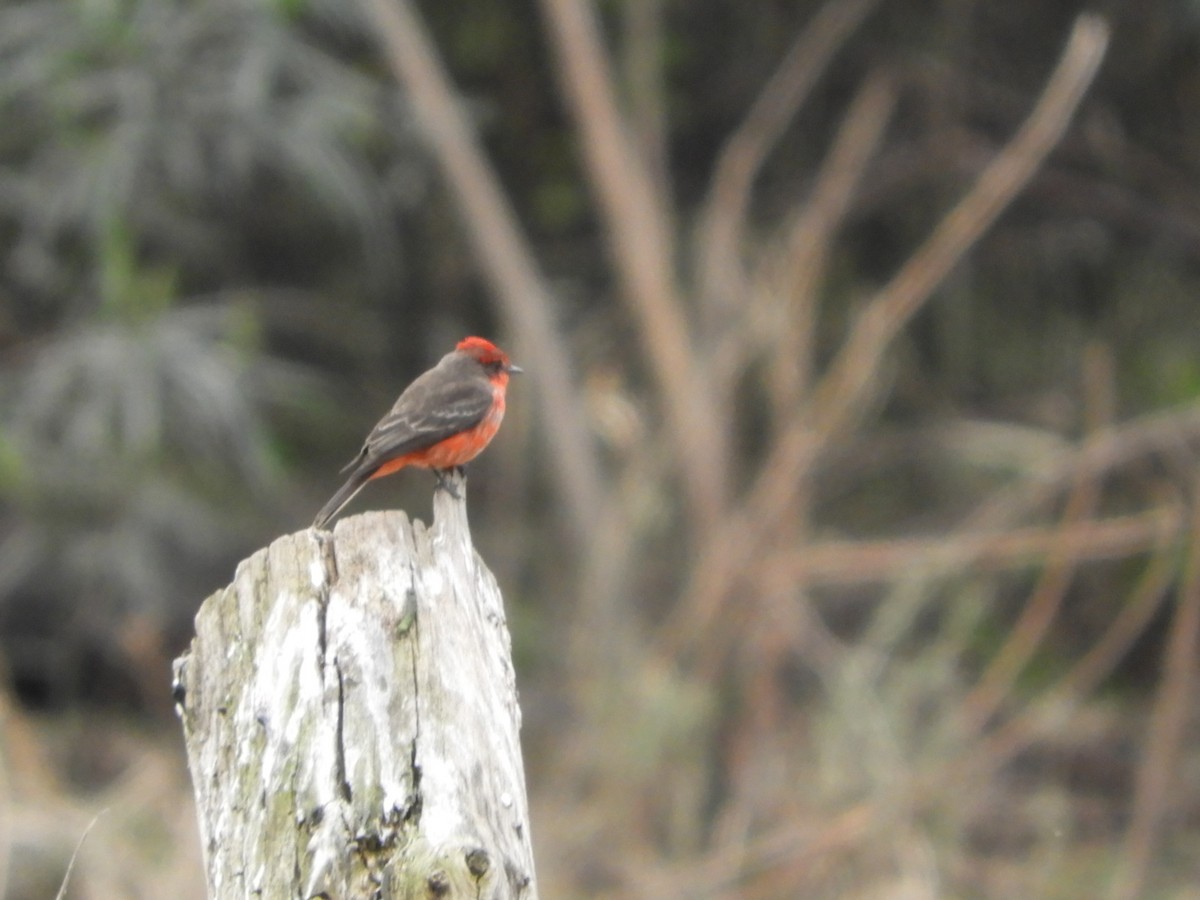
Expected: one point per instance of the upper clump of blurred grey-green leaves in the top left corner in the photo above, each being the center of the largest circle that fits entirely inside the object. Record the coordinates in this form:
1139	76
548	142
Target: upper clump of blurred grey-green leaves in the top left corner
177	121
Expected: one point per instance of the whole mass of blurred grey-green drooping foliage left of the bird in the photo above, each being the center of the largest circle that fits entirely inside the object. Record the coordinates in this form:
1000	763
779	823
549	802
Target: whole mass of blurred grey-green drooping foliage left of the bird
158	154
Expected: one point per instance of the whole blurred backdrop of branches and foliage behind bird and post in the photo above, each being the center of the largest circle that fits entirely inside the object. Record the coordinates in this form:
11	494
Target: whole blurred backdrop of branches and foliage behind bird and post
847	517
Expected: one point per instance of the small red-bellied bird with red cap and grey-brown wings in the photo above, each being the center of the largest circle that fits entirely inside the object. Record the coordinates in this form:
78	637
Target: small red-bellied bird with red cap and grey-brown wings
443	421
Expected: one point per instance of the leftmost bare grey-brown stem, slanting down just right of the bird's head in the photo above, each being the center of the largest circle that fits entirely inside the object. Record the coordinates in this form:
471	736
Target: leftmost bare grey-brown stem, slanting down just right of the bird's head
505	255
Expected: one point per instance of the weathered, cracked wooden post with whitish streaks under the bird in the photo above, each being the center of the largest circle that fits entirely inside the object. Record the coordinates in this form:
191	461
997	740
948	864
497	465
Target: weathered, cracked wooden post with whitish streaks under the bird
352	719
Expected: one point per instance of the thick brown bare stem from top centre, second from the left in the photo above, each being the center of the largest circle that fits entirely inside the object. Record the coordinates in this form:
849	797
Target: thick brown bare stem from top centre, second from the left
644	253
